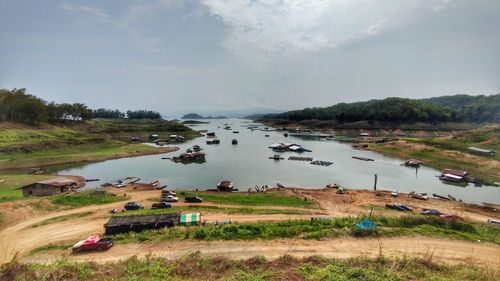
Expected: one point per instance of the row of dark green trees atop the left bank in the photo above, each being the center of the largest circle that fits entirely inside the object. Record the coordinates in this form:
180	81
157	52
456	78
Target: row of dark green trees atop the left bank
17	105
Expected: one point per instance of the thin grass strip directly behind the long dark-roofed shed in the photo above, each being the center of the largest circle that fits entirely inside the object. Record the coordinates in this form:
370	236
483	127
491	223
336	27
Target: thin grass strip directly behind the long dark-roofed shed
214	209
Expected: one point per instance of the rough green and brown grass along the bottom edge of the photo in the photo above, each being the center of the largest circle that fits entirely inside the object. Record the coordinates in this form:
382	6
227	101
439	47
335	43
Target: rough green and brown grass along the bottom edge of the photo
196	267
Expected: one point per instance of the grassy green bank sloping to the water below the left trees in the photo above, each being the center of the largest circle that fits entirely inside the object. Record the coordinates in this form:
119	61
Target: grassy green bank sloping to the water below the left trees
24	146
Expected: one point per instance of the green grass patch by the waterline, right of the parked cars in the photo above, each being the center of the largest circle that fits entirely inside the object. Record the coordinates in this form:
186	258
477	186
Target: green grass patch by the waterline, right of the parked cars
253	199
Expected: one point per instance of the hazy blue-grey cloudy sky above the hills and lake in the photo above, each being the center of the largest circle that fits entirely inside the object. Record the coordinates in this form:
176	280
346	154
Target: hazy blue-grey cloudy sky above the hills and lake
178	56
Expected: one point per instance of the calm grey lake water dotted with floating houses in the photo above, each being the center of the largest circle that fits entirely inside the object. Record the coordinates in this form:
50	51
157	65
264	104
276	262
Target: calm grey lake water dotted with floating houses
247	165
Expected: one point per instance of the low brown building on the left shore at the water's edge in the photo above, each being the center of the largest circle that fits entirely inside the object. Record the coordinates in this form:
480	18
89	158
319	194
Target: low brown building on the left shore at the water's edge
50	187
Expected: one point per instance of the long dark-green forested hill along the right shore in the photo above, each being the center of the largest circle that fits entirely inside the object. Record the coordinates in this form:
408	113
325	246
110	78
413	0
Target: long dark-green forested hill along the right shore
400	110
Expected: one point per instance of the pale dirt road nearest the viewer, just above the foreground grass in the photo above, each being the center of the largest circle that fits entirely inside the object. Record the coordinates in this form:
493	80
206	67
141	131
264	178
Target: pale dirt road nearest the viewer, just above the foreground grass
443	250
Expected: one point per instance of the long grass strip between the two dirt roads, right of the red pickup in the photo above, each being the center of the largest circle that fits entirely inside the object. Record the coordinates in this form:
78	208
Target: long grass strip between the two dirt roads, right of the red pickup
319	229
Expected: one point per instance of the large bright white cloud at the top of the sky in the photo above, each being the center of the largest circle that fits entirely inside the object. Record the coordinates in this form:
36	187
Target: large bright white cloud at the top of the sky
263	28
